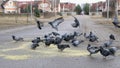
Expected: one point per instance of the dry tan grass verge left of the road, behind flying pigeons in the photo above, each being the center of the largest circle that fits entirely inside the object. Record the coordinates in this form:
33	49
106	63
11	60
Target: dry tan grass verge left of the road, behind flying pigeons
7	22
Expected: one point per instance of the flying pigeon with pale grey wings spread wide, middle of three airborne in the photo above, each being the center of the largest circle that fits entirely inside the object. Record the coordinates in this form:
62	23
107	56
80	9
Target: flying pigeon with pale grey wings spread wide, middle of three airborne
56	22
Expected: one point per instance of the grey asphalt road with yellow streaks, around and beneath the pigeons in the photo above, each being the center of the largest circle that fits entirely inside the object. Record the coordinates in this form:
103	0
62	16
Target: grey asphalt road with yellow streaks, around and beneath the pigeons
19	55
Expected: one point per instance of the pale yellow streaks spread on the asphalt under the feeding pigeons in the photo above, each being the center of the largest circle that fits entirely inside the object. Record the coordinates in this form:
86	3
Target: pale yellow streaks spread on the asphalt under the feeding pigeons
41	51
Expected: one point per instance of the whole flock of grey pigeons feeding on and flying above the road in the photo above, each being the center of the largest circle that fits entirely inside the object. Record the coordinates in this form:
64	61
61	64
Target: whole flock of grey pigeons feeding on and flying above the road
71	38
